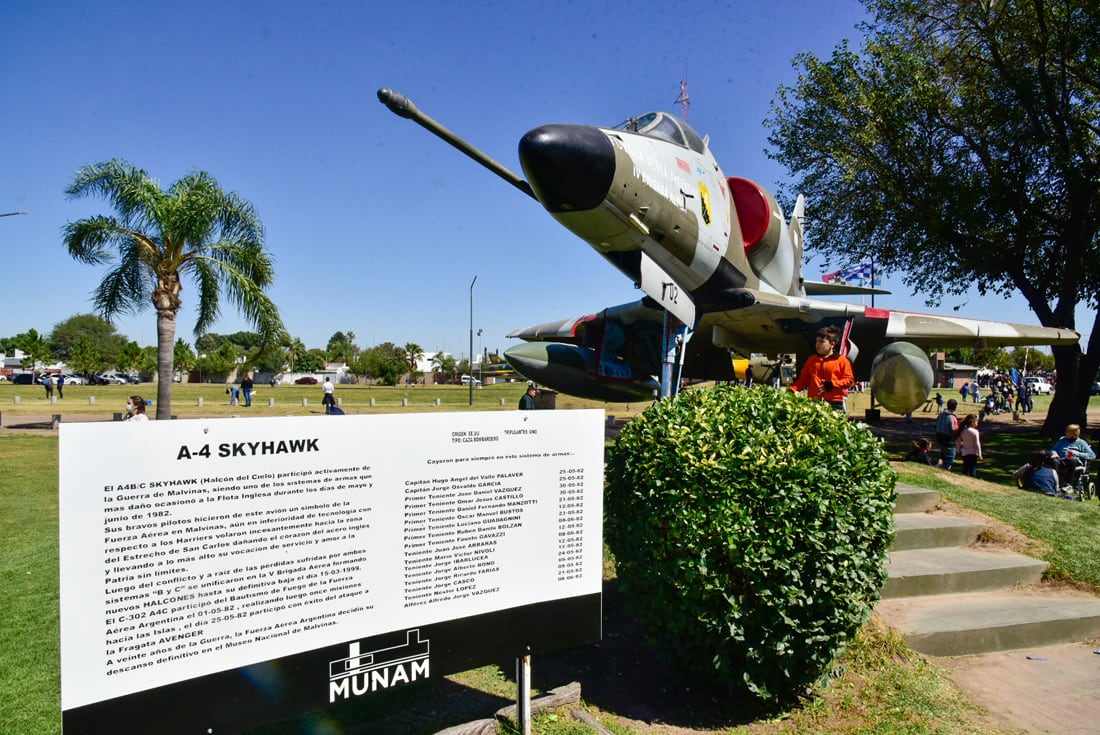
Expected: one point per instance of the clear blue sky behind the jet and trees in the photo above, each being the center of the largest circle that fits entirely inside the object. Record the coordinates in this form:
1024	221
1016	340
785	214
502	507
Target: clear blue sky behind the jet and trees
377	227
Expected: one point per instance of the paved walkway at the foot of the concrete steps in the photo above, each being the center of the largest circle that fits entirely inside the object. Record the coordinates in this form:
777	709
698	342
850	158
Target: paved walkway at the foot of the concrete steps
1050	690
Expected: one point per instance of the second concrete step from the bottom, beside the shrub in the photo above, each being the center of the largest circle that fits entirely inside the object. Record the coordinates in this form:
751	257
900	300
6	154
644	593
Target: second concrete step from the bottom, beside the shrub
949	571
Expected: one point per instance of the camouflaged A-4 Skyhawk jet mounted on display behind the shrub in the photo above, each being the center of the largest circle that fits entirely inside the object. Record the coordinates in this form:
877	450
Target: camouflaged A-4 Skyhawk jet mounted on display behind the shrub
714	253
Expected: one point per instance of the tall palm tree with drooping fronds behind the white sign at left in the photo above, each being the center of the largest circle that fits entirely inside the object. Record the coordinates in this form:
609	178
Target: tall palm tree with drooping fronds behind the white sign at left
159	237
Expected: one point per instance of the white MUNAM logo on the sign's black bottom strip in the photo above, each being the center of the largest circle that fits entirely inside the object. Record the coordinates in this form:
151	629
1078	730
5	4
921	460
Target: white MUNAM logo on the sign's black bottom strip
362	673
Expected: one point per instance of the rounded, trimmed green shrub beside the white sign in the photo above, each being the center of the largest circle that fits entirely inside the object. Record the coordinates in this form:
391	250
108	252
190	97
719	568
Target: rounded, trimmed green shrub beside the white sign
751	531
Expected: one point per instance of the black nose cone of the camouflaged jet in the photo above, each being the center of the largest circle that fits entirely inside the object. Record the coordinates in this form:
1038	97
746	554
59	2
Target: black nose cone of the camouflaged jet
570	168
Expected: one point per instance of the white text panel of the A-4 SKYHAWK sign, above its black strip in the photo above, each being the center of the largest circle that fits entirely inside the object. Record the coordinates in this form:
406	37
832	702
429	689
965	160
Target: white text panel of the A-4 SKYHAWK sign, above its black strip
193	547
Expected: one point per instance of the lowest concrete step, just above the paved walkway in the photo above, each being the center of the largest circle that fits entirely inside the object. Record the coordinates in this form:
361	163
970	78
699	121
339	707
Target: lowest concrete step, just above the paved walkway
986	622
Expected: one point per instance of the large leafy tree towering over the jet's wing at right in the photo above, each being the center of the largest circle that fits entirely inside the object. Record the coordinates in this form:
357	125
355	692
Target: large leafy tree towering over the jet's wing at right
961	149
